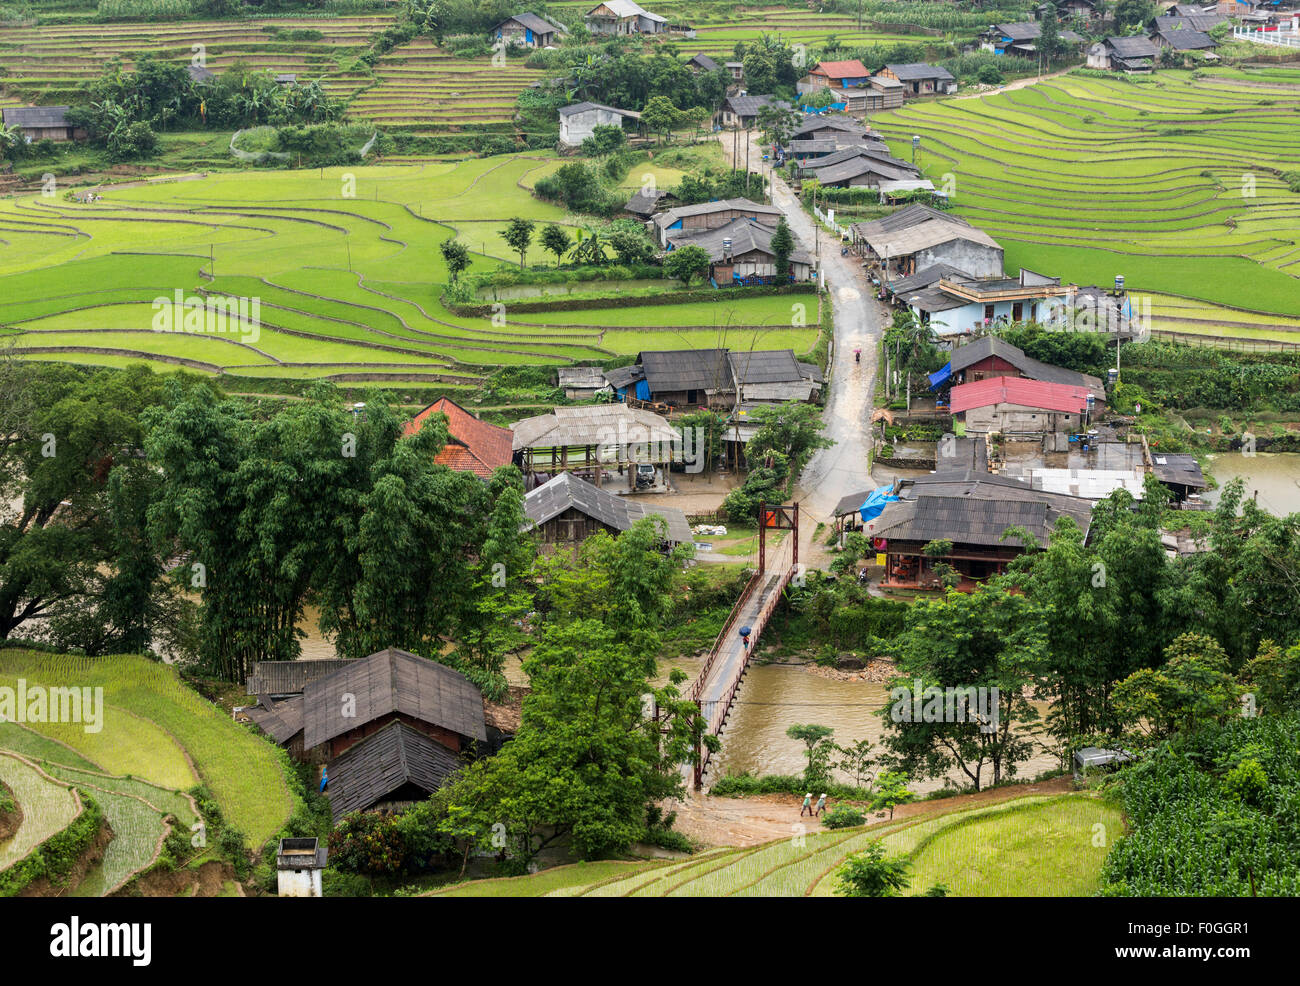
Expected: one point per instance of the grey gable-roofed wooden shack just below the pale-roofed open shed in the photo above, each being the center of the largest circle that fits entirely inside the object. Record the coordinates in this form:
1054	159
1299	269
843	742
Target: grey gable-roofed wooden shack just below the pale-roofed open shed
569	511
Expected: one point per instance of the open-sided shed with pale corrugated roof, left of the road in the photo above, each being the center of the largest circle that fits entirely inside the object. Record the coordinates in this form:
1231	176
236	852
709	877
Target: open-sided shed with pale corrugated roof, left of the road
600	443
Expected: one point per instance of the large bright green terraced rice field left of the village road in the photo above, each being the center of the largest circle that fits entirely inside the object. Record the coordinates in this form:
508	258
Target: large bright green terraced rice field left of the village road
348	287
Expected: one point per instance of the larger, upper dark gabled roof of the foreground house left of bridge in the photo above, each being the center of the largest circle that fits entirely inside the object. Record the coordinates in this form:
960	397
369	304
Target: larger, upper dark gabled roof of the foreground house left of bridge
392	682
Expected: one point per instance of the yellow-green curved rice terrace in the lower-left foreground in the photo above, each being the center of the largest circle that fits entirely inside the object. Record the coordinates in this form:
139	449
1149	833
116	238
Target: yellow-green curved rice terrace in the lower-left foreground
242	771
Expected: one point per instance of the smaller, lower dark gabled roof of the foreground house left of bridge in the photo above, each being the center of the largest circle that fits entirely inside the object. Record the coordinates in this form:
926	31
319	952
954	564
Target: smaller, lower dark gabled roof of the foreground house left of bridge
383	764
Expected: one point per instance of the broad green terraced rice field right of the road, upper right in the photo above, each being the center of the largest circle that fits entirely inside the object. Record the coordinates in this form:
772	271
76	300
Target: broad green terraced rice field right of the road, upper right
1171	181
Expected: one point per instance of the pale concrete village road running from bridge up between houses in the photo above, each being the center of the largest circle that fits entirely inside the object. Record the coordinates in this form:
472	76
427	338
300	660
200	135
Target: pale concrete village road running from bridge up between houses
860	321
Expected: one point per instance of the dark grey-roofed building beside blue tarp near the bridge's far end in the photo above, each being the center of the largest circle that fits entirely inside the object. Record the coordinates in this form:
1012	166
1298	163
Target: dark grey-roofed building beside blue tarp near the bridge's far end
972	511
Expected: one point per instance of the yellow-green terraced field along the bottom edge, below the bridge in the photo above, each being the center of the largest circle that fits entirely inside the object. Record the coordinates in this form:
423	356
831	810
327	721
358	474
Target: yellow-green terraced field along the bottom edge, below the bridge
1032	846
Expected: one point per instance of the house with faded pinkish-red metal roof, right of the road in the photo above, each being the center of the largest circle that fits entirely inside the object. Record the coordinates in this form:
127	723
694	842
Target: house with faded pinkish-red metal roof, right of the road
1013	406
